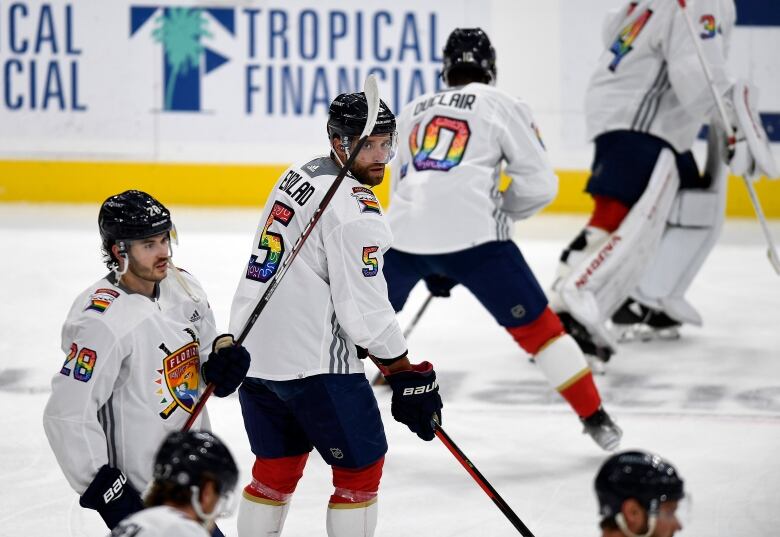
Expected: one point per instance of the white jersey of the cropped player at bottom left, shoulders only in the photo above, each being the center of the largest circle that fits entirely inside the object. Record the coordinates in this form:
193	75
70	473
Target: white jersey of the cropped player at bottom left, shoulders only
161	521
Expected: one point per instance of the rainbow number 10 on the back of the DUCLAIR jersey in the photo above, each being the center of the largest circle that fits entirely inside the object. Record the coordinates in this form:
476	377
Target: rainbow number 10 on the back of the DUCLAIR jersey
451	155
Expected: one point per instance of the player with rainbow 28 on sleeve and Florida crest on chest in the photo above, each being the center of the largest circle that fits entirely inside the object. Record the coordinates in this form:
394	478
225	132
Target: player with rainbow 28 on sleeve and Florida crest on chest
132	371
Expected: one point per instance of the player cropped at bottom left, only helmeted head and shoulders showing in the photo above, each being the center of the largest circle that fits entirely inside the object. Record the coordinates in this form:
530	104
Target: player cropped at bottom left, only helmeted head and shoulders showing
194	477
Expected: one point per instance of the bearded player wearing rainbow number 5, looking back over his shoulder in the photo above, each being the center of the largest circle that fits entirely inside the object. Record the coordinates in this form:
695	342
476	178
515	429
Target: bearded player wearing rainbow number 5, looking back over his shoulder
306	386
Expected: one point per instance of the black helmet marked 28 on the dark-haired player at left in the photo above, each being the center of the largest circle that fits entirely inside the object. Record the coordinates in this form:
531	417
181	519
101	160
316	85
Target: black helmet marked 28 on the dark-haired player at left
132	215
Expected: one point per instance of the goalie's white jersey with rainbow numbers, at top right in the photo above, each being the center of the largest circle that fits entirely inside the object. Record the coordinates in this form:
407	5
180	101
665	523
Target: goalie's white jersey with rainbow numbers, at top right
649	77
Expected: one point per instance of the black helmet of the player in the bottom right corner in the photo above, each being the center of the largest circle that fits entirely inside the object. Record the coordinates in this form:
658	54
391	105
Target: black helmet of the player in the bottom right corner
645	477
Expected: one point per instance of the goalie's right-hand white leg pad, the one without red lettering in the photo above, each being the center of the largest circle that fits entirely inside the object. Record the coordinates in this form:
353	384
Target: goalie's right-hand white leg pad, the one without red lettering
692	230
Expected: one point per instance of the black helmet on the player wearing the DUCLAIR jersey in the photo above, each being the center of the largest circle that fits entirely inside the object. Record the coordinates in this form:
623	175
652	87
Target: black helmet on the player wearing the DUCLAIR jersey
469	48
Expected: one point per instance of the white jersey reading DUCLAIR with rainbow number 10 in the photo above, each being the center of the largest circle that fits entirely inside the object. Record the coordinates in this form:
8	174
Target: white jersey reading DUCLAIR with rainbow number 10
445	180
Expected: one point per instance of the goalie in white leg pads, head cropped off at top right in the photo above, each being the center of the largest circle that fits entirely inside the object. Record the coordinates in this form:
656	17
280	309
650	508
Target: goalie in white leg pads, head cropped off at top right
655	217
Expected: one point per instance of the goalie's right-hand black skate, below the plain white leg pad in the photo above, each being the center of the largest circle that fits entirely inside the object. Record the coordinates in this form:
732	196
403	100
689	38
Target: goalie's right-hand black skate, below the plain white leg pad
635	321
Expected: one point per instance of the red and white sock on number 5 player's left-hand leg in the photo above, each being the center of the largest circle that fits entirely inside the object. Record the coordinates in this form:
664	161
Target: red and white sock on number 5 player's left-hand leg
266	500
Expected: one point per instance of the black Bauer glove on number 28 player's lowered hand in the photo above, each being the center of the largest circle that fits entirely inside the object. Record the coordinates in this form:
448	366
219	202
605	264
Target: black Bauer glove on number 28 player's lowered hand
112	496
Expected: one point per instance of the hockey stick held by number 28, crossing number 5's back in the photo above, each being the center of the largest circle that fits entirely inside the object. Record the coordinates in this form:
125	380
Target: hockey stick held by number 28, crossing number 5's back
372	99
